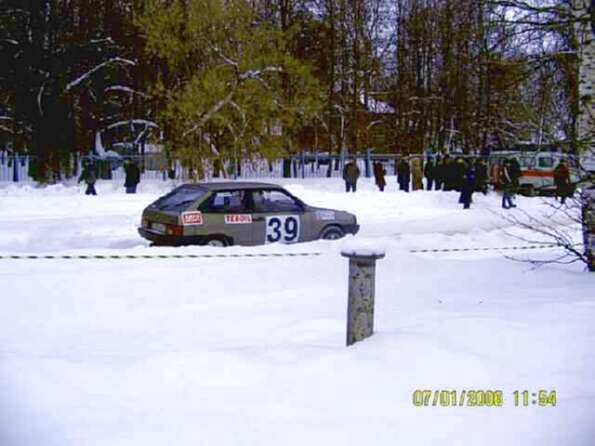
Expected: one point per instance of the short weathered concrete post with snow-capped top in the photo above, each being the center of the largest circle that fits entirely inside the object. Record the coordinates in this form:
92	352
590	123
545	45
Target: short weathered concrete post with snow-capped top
360	307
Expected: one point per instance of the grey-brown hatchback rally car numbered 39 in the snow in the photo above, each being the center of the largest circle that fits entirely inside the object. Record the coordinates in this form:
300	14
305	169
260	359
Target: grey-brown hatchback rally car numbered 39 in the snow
239	213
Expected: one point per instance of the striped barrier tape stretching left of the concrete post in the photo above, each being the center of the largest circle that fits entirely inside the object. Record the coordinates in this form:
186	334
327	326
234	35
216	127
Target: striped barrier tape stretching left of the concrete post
152	256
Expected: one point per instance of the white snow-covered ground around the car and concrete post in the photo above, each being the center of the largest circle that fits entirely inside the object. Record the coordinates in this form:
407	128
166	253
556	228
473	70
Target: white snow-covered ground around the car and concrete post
245	351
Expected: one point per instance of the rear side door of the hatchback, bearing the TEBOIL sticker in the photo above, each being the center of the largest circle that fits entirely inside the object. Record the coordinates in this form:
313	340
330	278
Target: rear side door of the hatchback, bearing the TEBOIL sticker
228	213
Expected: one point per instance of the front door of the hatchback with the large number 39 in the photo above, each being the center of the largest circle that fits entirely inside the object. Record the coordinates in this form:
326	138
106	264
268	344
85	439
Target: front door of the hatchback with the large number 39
277	217
